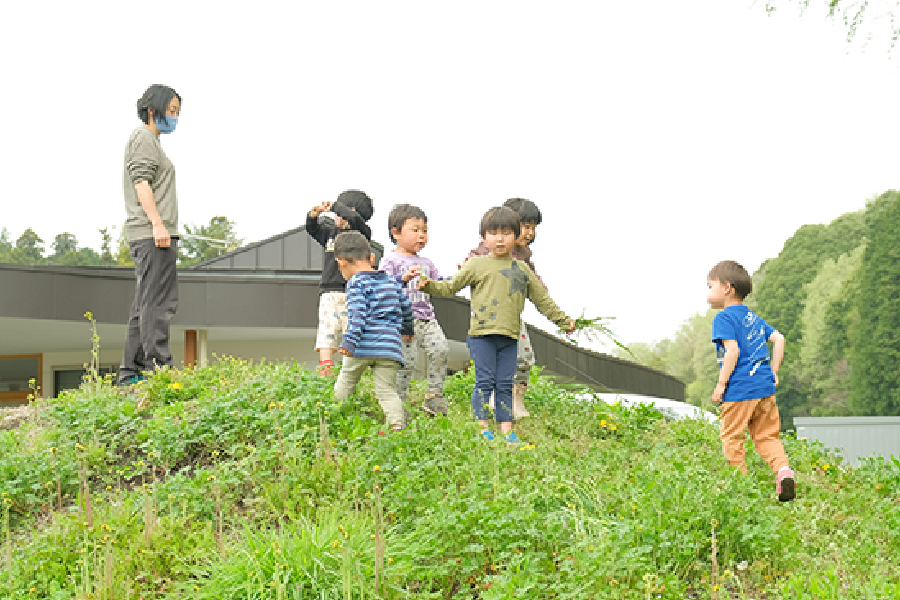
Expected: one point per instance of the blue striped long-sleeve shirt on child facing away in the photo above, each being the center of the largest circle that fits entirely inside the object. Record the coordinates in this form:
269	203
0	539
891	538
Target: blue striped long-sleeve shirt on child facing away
379	311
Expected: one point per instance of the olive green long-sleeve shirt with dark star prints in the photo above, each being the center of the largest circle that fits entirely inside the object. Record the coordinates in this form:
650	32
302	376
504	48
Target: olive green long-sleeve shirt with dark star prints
499	289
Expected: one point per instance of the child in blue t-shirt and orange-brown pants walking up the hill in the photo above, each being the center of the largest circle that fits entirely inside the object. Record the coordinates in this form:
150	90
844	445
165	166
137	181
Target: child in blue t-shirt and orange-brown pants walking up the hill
747	375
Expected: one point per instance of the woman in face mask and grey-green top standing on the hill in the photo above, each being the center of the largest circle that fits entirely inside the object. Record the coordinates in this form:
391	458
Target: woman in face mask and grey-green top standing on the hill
151	228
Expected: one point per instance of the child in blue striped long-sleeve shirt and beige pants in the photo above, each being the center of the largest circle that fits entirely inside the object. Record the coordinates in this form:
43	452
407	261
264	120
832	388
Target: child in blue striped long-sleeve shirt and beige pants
380	315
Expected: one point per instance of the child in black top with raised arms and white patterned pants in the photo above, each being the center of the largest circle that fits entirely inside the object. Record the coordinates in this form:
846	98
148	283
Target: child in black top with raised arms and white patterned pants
352	208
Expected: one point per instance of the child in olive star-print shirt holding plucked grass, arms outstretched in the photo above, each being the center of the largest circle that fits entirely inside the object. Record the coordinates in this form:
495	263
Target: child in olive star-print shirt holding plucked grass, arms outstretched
500	284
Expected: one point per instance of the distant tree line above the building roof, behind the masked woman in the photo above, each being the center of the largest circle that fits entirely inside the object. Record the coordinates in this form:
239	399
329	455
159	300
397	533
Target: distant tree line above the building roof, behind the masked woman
198	243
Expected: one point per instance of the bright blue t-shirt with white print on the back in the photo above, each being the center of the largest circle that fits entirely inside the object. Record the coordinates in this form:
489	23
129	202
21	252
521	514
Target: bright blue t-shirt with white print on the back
752	377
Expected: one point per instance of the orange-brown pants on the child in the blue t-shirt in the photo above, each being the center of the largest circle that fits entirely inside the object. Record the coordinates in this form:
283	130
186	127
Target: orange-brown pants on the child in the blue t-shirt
760	416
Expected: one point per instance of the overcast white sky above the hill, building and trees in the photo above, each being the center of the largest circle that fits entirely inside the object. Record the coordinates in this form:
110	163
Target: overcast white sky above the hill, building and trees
657	137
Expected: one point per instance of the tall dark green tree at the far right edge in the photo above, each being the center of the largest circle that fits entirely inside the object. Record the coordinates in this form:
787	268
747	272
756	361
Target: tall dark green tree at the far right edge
876	347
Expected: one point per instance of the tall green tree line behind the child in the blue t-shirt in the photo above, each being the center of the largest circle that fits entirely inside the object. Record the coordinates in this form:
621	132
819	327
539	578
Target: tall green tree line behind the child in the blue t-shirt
834	292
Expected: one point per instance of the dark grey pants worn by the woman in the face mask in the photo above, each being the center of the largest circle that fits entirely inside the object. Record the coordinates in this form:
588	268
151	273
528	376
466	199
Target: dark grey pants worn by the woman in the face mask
154	305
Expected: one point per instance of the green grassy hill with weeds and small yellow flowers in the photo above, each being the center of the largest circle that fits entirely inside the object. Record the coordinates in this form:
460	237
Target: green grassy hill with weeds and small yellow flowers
250	481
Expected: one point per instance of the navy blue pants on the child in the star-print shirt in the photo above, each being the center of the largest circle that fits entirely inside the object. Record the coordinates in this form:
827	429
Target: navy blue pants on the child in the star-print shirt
494	357
